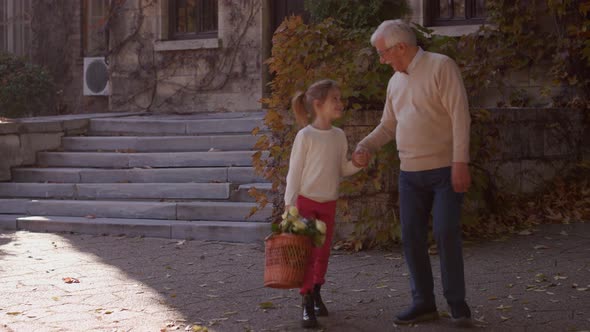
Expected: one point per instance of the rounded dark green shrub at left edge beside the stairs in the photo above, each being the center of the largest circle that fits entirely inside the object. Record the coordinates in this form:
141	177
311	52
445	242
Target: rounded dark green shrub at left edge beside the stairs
25	88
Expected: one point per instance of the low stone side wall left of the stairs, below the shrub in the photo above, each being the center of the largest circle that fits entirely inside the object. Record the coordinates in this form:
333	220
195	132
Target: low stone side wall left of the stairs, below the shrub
21	139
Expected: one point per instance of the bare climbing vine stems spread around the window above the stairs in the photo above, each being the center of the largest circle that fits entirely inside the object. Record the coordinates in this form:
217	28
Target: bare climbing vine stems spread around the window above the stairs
154	80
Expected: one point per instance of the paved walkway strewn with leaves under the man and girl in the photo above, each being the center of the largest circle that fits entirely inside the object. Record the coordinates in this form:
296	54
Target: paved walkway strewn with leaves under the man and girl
538	282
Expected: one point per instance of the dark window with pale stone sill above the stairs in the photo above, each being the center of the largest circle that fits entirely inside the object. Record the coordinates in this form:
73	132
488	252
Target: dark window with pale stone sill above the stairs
192	19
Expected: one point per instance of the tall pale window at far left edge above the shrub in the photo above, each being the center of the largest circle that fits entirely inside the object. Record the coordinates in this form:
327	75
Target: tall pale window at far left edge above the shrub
15	26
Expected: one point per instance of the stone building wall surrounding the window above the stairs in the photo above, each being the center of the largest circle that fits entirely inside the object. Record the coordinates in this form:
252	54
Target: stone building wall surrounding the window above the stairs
150	72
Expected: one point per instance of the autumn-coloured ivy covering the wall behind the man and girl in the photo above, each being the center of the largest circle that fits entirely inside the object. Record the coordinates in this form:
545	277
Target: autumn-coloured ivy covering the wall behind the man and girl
303	53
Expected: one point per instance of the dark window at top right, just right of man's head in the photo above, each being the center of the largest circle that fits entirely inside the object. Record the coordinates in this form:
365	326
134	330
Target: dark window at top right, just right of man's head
456	12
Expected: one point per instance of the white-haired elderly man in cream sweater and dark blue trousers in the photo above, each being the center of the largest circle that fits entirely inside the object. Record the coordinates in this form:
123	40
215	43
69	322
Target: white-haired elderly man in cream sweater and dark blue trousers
426	111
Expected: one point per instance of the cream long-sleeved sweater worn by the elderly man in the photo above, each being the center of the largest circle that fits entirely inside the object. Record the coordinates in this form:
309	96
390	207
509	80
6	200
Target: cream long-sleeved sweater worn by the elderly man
427	112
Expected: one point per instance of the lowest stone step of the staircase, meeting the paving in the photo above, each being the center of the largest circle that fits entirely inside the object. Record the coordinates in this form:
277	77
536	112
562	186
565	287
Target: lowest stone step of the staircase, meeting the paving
197	230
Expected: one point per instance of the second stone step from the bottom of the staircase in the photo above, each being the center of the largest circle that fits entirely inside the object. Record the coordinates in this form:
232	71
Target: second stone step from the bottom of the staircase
200	210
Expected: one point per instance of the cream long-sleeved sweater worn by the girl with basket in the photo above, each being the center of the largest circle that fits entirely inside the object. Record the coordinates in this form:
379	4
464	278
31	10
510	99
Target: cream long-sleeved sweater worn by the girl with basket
318	161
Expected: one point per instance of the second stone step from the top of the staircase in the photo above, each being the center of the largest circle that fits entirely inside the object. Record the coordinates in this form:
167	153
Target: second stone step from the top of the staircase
159	143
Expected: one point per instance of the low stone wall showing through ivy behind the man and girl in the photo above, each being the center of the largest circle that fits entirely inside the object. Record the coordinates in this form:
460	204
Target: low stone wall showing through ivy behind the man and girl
534	146
